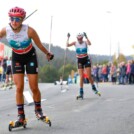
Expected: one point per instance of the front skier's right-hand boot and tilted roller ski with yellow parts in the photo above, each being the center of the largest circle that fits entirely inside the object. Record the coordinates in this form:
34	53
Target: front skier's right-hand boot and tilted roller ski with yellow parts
43	118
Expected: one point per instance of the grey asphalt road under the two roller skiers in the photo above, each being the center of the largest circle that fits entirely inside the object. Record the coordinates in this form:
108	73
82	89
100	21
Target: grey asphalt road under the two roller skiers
112	113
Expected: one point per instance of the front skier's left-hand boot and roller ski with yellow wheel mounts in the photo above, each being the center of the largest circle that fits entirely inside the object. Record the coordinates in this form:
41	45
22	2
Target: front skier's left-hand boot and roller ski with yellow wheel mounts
21	122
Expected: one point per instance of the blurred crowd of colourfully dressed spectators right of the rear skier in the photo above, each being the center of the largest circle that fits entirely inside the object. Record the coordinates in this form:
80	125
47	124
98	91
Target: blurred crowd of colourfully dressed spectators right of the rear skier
123	73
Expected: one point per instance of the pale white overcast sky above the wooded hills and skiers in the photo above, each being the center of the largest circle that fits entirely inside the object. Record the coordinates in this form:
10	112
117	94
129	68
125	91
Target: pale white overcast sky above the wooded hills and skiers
109	24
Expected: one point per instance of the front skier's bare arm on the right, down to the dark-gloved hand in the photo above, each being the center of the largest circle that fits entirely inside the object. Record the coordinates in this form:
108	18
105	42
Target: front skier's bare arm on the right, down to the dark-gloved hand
33	35
